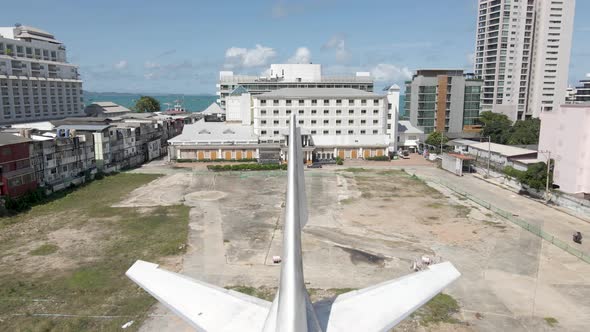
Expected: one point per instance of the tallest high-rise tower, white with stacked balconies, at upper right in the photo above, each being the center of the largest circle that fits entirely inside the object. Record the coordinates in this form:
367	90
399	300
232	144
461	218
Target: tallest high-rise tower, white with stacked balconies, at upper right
522	53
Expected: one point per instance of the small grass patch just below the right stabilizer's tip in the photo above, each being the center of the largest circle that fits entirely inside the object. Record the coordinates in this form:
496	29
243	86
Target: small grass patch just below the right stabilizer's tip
439	310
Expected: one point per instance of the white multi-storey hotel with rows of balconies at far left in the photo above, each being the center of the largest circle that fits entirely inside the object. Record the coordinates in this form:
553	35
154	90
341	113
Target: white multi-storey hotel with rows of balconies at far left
36	82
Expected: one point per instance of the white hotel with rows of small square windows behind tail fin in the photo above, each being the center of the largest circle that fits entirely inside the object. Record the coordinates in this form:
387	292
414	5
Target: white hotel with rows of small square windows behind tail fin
335	122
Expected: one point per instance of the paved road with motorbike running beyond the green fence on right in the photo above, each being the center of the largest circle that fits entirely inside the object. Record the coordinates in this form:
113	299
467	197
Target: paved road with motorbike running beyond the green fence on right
557	223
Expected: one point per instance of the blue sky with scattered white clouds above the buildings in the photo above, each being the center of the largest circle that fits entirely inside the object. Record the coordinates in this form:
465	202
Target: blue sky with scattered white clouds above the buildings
180	46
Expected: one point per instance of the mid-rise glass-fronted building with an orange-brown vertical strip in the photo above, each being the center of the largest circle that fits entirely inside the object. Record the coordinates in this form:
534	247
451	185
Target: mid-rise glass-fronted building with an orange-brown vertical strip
444	100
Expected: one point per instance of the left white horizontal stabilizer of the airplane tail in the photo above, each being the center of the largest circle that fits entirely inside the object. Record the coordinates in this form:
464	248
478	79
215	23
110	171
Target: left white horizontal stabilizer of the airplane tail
206	307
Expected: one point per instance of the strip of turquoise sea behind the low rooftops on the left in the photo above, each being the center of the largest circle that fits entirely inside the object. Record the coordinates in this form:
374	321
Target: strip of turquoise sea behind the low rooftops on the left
191	103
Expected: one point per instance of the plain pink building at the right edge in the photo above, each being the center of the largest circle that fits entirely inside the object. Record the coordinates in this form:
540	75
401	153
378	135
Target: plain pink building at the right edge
566	133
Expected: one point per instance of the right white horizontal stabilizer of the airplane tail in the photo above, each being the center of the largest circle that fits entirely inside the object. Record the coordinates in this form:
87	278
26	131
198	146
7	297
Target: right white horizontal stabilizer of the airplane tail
381	307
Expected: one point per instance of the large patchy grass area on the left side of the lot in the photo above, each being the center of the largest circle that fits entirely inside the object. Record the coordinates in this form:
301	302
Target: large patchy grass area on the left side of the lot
89	287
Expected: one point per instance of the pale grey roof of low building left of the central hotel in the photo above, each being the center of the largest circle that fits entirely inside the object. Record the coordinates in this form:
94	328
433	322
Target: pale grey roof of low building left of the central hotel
215	133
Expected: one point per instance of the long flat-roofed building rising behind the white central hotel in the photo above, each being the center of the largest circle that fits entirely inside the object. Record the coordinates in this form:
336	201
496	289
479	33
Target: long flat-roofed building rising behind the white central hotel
282	76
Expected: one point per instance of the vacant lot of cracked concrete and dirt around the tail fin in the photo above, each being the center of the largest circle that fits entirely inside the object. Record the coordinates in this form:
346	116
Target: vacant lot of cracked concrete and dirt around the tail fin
367	226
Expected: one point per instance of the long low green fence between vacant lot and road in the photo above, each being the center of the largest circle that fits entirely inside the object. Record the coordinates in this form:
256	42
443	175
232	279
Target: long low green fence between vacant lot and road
536	230
